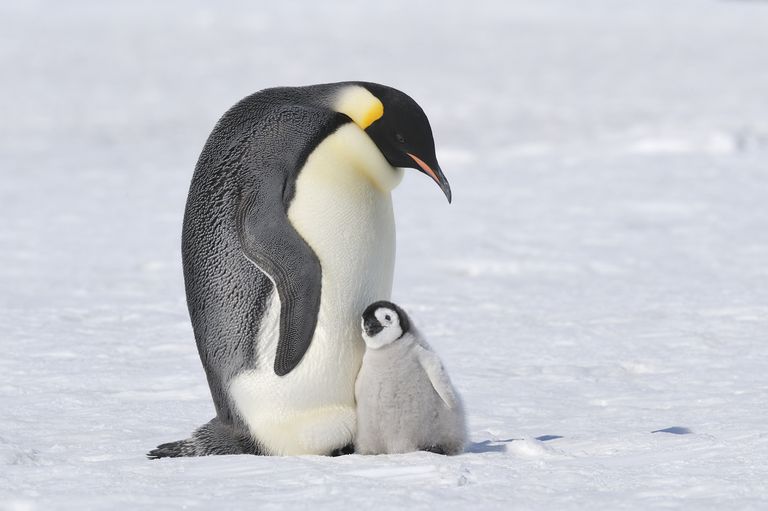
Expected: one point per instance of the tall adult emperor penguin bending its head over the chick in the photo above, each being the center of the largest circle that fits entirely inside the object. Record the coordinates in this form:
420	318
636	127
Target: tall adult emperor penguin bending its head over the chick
288	234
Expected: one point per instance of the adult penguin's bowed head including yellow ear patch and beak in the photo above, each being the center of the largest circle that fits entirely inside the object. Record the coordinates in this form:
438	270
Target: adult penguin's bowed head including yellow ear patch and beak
397	125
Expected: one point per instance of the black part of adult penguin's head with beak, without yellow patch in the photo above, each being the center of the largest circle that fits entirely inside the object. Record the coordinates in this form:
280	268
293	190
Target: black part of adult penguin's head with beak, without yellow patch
403	134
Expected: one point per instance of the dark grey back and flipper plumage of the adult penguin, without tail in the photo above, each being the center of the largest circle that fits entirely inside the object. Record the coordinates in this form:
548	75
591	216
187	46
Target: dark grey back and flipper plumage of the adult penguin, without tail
243	184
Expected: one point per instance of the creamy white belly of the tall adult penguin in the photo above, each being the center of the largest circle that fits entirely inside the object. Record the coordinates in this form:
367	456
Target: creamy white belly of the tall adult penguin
348	221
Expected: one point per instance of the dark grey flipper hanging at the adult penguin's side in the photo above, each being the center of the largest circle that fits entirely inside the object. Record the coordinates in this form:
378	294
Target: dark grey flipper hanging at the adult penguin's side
278	250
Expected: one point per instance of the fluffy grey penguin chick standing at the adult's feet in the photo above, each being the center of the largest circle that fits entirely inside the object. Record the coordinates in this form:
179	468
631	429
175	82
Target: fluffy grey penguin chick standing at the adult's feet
405	400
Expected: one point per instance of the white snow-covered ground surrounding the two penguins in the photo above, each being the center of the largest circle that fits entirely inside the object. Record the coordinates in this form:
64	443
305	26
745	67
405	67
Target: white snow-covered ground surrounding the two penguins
598	290
